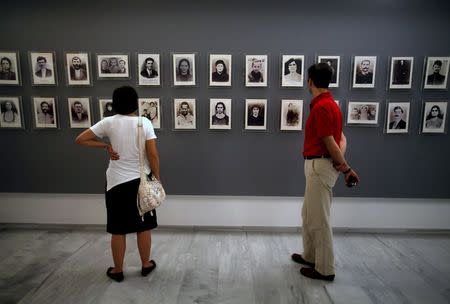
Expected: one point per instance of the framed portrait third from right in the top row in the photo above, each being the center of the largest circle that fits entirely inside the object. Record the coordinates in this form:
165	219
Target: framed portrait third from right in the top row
364	68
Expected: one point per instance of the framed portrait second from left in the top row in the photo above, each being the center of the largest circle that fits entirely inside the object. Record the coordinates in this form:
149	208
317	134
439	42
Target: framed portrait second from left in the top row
43	68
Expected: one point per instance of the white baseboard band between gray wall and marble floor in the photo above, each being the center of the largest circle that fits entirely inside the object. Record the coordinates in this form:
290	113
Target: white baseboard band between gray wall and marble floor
231	211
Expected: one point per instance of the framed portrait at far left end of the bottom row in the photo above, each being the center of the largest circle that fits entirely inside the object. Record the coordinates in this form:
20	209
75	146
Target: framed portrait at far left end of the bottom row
11	112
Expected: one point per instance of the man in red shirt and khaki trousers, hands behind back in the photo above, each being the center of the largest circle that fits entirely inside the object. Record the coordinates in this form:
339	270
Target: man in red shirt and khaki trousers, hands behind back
324	150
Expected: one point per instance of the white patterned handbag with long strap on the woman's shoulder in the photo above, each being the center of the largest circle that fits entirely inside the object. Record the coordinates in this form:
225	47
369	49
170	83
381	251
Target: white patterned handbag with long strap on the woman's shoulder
150	192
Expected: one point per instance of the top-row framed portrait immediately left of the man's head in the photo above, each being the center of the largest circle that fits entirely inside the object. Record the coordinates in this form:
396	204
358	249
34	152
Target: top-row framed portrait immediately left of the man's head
292	70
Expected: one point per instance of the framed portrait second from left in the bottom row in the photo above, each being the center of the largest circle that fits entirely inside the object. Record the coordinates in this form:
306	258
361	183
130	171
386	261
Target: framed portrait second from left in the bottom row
45	113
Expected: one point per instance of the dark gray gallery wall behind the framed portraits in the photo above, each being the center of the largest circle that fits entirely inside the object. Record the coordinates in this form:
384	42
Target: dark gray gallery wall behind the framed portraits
234	162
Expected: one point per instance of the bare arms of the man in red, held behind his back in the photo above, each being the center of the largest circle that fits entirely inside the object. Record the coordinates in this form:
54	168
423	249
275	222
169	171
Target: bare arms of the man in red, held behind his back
337	155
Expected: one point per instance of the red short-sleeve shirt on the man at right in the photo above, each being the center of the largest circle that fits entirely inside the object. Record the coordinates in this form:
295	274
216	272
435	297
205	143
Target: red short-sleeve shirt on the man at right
325	119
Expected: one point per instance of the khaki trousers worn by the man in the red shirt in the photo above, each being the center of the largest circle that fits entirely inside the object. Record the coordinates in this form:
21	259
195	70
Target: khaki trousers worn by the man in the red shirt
317	234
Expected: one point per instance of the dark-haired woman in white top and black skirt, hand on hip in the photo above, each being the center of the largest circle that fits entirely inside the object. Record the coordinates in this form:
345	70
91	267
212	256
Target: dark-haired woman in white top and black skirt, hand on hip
122	177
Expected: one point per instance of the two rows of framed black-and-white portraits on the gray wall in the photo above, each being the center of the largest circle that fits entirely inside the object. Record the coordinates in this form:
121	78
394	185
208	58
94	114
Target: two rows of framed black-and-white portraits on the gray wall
78	72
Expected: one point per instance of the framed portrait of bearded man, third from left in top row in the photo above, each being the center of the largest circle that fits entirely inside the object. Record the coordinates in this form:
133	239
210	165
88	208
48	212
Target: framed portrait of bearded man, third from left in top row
78	69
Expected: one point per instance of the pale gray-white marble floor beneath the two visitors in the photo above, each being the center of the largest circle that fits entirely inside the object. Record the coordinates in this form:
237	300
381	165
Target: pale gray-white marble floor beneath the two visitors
68	266
